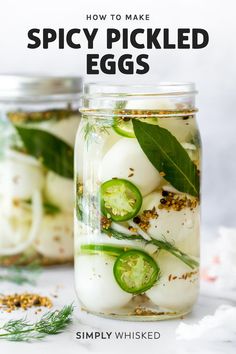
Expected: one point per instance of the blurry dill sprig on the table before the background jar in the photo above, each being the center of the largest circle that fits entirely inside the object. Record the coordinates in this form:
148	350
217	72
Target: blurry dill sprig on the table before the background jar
21	275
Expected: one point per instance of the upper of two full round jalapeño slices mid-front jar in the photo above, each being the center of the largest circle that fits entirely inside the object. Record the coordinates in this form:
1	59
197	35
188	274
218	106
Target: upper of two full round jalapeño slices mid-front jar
120	199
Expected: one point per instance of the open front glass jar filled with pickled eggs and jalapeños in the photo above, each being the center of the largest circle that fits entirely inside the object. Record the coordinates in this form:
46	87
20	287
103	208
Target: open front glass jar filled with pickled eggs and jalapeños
137	165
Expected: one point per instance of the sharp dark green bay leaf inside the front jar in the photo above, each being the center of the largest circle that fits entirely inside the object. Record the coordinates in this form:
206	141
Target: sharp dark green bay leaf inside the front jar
167	155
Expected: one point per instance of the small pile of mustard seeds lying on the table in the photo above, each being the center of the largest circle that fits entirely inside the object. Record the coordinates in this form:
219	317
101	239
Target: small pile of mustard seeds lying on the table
24	301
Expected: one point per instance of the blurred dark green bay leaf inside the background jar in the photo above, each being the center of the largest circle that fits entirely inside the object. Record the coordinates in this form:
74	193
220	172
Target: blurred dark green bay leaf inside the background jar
54	153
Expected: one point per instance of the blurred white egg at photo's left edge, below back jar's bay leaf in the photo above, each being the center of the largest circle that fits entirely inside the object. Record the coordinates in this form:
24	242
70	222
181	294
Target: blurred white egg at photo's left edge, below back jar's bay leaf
20	179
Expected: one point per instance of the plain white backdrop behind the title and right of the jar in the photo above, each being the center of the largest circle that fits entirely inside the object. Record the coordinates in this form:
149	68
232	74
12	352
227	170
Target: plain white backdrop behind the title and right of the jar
212	68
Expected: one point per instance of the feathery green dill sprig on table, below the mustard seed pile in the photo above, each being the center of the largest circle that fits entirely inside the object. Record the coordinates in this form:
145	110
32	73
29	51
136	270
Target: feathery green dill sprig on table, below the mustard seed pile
51	323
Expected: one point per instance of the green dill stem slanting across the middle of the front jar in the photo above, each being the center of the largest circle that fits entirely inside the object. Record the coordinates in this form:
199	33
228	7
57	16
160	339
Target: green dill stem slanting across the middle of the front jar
161	244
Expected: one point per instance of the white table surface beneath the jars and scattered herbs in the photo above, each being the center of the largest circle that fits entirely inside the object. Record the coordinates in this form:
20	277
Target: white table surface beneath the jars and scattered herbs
60	281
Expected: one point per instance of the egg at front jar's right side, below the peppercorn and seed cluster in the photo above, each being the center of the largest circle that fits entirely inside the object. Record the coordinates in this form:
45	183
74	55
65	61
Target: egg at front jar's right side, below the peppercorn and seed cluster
178	227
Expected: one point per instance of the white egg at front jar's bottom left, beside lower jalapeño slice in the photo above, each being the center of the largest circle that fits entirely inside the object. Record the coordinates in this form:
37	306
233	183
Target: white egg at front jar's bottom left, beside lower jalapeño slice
95	283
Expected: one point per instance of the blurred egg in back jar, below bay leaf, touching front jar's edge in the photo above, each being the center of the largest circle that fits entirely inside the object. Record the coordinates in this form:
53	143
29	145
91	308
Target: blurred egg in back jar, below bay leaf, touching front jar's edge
59	191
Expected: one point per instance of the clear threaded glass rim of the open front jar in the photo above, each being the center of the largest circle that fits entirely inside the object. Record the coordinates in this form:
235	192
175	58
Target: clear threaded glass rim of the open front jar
161	99
